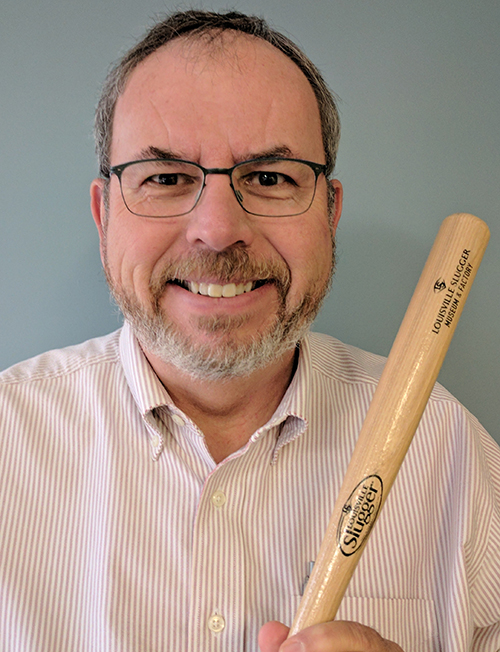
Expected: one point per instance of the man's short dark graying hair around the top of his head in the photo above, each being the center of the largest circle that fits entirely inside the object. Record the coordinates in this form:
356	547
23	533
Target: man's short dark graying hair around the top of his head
196	23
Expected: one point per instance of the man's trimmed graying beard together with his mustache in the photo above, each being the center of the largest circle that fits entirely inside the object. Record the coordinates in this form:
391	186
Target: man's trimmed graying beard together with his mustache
225	357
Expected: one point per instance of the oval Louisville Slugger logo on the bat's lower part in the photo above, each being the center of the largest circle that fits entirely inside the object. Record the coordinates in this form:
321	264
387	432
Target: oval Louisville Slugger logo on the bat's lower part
359	514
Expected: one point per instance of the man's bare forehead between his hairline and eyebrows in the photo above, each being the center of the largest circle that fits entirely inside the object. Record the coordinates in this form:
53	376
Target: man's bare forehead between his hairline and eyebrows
197	95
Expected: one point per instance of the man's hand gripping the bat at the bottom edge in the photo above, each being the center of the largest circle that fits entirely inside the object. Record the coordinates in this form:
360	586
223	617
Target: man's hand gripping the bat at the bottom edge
336	636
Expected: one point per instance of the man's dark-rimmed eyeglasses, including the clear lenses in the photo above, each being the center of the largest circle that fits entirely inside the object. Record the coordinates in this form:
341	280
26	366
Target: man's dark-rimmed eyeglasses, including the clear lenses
269	187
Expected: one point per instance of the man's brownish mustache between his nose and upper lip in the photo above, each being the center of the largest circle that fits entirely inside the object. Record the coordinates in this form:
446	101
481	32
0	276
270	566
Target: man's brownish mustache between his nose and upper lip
227	266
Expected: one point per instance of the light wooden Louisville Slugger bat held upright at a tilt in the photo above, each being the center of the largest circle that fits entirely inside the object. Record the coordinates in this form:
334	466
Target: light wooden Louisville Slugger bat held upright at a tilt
395	411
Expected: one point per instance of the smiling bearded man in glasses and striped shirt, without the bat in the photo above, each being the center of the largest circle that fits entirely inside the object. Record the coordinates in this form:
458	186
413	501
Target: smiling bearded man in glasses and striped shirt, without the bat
167	487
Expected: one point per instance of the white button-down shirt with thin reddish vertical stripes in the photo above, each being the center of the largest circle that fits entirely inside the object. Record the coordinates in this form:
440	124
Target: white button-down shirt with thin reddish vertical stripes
119	533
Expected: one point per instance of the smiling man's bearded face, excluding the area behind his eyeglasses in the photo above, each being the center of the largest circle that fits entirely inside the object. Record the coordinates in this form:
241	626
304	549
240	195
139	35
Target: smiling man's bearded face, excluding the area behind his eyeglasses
217	105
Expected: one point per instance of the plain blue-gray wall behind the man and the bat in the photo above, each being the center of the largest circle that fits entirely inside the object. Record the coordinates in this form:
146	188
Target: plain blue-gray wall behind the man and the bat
419	89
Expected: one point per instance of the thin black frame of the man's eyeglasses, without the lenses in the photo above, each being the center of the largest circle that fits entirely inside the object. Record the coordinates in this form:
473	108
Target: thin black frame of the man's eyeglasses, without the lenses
317	168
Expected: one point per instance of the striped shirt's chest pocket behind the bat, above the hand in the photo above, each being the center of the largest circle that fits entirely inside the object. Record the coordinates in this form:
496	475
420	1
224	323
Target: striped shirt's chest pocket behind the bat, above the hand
411	623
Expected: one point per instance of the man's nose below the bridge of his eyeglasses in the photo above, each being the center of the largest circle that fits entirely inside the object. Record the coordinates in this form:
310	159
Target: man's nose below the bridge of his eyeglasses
218	220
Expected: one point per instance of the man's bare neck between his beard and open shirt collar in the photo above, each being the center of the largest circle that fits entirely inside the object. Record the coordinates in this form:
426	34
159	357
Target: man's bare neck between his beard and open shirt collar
228	412
